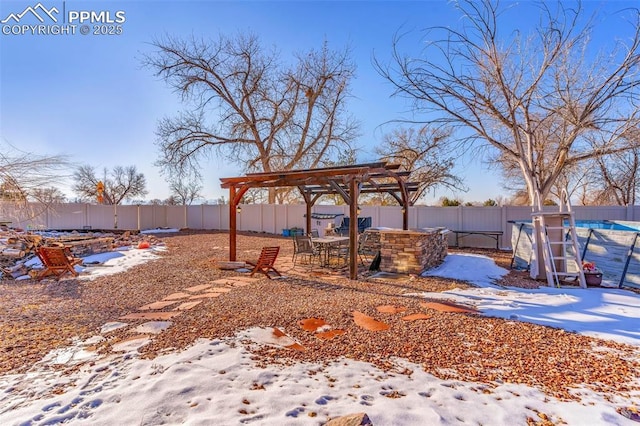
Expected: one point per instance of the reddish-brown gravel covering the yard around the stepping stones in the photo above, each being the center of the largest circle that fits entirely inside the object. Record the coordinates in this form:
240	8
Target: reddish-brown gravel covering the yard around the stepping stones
38	317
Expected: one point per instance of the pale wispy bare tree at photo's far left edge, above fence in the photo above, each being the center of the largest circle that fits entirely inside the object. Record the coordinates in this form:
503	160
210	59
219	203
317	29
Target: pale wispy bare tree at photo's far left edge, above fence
23	175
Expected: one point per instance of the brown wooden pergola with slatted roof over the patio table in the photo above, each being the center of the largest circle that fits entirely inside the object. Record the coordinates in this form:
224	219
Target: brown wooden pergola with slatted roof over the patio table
347	181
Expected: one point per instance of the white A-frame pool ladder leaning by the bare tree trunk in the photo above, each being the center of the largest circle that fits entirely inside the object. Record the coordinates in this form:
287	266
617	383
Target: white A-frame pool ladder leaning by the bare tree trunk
559	252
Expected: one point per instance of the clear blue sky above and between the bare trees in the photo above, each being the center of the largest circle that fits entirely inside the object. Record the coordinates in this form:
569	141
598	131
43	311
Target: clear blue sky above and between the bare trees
88	97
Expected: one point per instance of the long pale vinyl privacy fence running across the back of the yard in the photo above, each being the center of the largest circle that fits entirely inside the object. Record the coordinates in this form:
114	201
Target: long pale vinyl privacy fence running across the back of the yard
274	219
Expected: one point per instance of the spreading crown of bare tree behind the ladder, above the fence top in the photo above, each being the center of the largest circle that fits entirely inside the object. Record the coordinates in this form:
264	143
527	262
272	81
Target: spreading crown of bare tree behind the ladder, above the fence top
522	95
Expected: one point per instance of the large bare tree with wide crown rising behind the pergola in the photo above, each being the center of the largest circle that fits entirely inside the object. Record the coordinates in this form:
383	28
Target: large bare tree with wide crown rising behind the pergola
246	104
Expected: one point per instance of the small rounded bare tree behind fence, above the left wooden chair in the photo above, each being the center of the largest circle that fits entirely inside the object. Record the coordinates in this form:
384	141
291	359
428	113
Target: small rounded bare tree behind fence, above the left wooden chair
120	184
